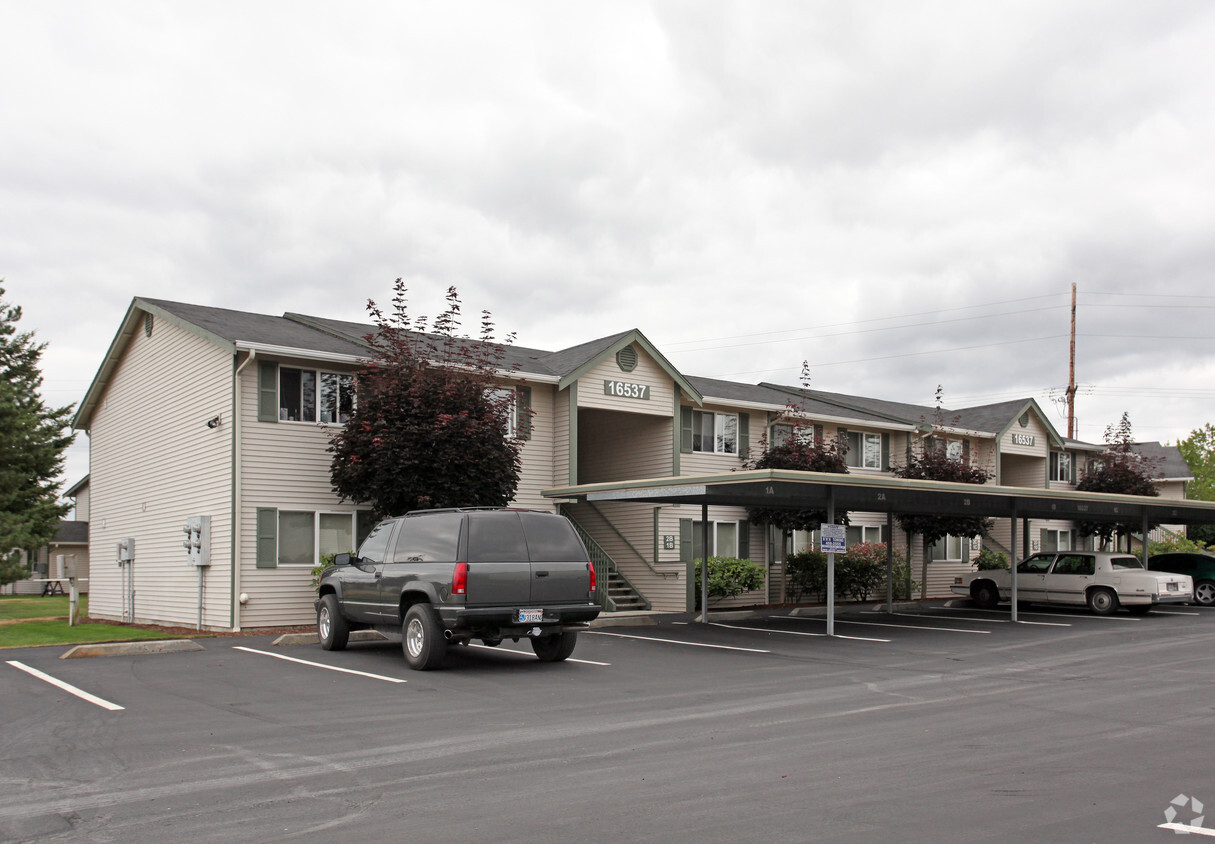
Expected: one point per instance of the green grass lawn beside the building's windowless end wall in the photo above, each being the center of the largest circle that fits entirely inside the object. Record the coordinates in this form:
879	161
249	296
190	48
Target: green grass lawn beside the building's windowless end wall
35	622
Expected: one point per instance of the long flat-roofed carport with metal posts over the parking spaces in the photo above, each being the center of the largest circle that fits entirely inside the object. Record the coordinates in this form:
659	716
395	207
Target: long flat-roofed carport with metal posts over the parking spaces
892	496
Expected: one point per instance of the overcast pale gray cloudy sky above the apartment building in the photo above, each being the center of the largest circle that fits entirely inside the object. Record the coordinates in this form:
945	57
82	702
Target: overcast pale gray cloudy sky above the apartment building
900	194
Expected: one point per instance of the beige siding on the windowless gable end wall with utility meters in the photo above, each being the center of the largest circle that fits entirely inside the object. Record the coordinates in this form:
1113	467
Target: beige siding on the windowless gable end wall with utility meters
155	463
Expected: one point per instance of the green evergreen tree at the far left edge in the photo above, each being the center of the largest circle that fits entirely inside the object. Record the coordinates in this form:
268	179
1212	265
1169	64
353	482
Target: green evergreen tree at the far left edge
33	441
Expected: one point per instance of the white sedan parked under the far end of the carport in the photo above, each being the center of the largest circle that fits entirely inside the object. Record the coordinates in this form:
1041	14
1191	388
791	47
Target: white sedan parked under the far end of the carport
1100	580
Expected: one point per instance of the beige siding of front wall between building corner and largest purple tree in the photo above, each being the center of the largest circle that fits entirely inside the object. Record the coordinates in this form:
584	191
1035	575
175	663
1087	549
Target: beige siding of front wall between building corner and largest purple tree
284	466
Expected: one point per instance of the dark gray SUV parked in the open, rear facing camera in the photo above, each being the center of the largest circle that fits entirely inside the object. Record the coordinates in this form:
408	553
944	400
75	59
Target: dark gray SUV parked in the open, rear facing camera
442	577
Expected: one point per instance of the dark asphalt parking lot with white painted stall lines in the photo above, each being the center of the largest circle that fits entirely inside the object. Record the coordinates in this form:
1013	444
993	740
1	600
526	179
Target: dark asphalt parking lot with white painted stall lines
942	723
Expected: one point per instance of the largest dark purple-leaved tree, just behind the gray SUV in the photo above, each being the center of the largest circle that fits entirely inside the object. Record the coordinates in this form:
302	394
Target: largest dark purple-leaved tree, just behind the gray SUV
431	427
